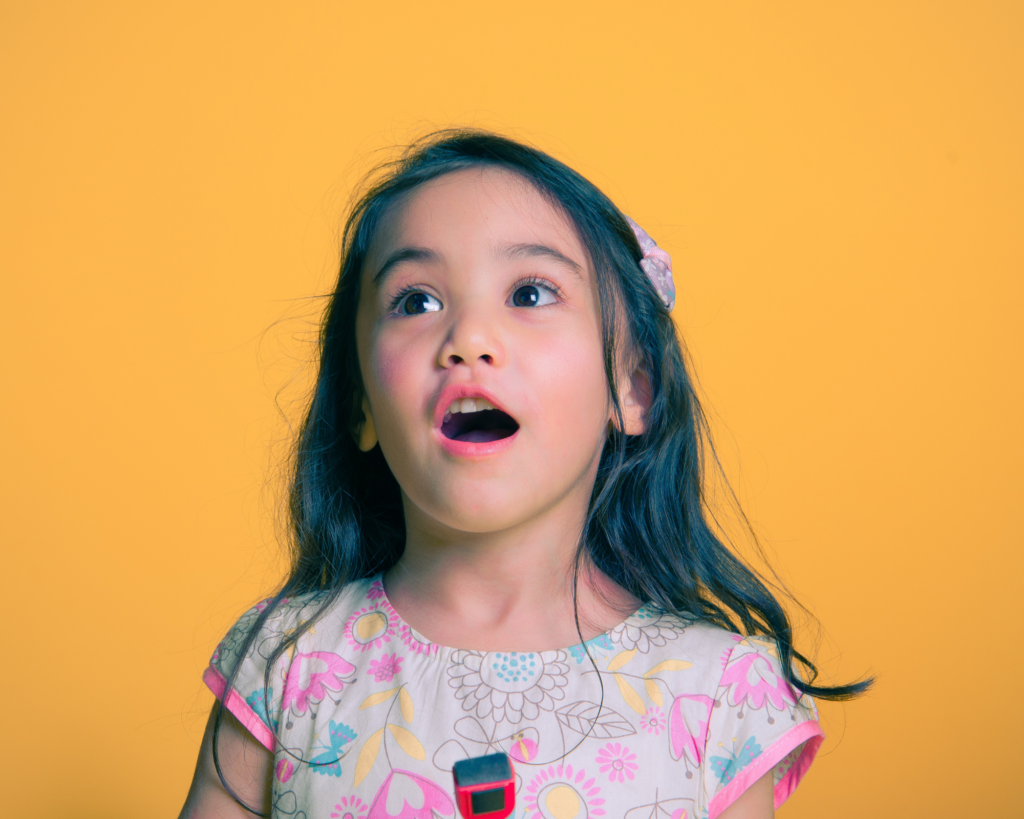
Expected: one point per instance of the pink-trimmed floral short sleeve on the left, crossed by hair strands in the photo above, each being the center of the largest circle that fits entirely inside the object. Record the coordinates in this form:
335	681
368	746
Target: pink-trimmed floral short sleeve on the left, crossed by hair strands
255	702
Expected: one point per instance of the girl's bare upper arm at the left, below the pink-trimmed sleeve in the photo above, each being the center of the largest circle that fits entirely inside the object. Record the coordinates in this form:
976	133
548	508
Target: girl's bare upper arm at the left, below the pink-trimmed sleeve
247	767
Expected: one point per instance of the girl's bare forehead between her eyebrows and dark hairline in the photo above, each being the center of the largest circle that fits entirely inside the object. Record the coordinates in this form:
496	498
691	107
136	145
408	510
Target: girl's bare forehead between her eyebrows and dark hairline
476	208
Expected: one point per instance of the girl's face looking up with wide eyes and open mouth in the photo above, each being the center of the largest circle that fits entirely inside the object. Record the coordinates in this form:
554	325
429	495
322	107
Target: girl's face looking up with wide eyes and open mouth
477	293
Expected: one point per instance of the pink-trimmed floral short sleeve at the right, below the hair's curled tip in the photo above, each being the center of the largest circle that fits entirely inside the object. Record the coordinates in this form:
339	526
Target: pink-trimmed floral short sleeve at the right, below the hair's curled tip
759	724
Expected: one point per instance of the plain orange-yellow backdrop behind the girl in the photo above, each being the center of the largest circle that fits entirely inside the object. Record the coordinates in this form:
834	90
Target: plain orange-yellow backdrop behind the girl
841	186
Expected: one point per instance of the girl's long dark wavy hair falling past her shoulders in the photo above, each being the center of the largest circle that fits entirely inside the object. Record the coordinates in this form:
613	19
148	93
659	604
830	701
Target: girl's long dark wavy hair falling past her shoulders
650	526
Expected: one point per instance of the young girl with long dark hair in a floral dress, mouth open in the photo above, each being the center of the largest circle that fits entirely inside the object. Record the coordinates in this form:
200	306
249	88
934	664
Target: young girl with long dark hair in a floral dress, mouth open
501	538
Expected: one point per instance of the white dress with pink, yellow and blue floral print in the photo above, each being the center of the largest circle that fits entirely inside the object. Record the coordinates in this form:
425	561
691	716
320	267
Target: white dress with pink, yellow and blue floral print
366	718
